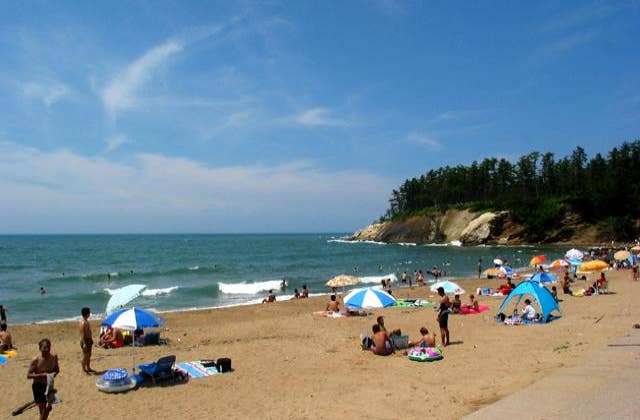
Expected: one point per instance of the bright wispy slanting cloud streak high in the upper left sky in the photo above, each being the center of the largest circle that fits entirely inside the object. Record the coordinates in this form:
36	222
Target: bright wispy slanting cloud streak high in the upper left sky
121	93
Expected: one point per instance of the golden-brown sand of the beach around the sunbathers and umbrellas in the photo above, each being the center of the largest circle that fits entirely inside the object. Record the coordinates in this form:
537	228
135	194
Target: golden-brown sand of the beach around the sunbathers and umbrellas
290	363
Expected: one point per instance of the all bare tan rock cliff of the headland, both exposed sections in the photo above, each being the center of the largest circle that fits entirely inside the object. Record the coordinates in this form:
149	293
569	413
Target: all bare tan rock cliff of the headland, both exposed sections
473	228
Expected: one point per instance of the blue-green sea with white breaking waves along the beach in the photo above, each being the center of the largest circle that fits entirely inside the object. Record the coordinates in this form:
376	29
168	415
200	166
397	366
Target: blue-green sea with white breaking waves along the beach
185	272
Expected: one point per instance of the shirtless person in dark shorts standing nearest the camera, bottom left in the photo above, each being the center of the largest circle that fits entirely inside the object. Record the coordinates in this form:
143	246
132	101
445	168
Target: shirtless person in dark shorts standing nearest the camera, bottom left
42	370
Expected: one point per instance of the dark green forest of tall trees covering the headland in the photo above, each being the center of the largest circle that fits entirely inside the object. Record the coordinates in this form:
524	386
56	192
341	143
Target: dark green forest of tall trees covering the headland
538	189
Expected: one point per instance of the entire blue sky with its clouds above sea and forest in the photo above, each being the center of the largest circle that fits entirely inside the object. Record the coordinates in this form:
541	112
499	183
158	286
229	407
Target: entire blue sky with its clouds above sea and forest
290	116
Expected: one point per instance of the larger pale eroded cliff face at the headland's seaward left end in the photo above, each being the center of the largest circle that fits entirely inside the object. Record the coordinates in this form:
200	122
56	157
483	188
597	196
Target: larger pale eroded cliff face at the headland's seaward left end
470	228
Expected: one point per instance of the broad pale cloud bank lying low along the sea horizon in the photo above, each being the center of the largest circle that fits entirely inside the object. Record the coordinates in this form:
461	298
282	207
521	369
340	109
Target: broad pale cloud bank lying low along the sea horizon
62	191
